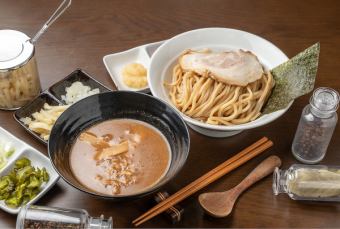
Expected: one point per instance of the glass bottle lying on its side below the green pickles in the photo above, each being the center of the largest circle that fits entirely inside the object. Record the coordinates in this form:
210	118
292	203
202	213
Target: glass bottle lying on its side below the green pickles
31	217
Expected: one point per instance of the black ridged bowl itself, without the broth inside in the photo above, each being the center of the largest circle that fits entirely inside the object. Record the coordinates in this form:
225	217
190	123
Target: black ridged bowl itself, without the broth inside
115	105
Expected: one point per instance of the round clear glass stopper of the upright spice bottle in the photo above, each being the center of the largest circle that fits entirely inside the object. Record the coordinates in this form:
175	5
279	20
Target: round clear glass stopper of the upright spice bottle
325	99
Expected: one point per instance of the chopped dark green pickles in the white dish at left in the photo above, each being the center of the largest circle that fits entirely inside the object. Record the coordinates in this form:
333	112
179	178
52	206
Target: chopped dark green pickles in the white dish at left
22	184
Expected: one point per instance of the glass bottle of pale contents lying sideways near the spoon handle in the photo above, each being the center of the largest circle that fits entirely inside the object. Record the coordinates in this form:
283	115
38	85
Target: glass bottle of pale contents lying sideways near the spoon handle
308	182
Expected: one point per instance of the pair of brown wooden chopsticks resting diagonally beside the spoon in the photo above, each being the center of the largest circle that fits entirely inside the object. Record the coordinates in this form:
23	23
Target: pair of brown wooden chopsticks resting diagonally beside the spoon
224	168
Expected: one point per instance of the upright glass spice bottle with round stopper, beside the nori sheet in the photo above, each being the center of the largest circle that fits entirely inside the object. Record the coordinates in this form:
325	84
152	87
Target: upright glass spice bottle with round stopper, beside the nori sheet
316	126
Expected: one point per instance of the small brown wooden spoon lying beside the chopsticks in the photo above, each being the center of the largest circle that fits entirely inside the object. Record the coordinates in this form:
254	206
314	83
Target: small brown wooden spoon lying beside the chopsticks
220	204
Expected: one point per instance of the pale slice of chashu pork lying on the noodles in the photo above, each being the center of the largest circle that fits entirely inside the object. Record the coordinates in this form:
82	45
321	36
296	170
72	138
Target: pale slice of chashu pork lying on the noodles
234	67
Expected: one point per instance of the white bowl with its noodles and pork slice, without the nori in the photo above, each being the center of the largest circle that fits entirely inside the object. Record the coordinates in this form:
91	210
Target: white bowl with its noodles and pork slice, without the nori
217	78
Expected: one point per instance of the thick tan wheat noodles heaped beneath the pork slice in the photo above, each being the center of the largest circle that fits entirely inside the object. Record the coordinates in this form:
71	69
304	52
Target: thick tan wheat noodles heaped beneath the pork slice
213	102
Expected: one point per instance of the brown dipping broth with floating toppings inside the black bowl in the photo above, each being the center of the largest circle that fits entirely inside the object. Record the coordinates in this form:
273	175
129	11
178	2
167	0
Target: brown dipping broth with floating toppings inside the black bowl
120	157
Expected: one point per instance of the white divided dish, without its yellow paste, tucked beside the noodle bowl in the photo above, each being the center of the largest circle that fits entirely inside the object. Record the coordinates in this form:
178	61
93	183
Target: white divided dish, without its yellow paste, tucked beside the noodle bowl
116	61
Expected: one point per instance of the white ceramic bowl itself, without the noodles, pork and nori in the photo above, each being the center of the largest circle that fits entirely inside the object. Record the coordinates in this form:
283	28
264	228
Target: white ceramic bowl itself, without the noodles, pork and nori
218	39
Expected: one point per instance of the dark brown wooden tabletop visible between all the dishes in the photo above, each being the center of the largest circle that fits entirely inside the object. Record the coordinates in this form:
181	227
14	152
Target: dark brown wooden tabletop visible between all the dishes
91	29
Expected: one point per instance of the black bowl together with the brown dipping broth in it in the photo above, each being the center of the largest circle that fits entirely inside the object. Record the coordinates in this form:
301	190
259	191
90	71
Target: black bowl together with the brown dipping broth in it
119	144
